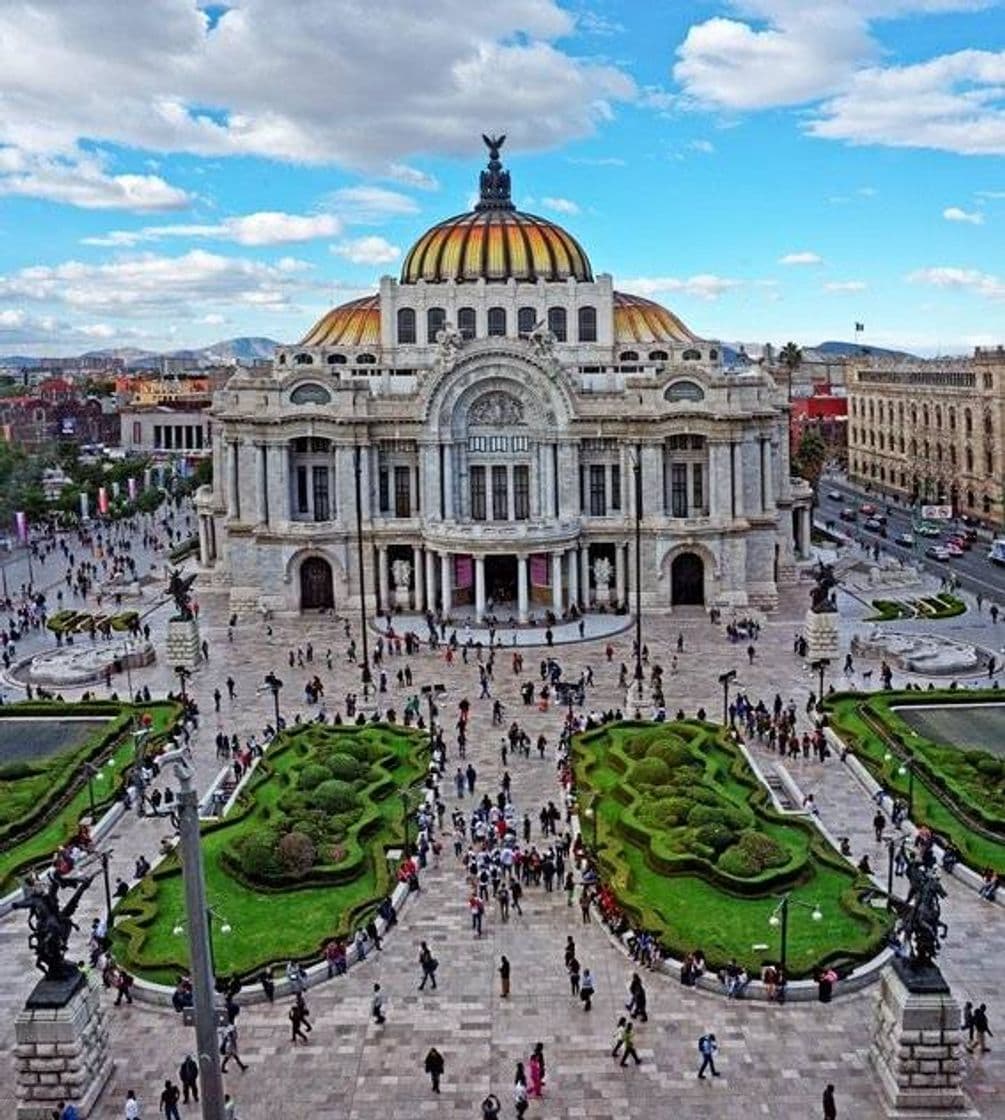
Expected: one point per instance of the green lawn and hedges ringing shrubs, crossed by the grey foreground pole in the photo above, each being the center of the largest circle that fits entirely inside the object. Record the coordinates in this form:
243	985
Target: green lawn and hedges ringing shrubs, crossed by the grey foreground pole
272	923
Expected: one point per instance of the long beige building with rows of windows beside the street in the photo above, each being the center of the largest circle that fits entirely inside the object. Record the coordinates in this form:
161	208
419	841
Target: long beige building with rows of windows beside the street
933	431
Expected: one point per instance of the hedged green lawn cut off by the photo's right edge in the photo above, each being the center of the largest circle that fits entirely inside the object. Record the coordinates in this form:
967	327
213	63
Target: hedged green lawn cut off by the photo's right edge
972	781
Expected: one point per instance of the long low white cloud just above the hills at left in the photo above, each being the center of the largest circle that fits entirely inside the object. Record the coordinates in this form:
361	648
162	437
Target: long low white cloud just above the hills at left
148	285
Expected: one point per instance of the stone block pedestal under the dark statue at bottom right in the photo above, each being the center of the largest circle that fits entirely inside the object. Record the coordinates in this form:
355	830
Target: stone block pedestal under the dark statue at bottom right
917	1044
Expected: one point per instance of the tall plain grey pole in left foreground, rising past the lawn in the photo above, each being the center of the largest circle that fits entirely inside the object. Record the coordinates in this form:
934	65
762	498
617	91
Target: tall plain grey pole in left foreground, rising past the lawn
200	953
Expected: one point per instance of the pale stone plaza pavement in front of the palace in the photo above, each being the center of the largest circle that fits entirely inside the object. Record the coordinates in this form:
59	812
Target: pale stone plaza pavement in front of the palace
775	1061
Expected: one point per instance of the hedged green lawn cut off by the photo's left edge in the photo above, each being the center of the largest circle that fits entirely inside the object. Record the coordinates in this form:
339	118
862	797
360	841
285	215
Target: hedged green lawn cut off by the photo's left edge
42	809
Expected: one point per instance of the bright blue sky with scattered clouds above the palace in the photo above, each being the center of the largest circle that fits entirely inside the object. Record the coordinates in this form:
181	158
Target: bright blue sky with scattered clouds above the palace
771	170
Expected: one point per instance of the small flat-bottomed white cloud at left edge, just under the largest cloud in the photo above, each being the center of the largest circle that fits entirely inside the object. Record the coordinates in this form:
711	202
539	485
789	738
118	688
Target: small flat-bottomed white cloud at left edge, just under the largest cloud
80	180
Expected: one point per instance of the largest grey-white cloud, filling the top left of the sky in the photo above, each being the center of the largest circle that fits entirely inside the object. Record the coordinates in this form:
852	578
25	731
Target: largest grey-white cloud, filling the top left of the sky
405	79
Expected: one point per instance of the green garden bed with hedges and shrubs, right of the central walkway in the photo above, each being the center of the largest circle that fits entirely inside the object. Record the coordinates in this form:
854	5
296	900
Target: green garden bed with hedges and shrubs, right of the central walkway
685	876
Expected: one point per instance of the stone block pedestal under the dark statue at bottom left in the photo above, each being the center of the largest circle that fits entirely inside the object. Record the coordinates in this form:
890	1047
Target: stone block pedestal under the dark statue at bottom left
62	1050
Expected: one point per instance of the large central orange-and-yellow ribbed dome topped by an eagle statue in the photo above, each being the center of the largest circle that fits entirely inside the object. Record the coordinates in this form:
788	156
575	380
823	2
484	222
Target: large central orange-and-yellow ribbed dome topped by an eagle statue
496	242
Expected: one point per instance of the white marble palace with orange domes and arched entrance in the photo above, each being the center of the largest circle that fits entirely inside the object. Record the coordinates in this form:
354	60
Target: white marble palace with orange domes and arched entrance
471	436
